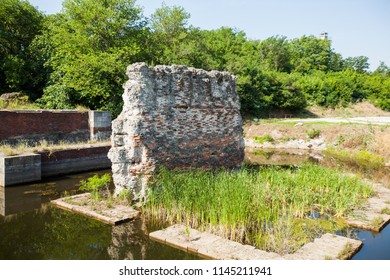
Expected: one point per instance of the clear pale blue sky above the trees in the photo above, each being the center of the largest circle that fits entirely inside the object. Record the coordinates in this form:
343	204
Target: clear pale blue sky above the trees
356	27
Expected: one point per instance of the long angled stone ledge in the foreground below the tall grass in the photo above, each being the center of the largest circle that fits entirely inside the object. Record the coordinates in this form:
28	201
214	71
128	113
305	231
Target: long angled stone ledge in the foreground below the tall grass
210	246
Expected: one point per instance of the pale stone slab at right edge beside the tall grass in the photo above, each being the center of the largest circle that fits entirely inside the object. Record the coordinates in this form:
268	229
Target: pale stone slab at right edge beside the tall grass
376	213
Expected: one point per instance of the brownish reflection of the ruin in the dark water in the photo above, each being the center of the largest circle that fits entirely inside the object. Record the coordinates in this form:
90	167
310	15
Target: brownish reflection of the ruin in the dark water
129	241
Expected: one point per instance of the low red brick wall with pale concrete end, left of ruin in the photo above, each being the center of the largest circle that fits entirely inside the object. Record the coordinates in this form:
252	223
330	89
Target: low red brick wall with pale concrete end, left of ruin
32	126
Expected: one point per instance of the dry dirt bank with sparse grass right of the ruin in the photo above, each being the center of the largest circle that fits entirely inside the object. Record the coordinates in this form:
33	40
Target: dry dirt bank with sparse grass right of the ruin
349	136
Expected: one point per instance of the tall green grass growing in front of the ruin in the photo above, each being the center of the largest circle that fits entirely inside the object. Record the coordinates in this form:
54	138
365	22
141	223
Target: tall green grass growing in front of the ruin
268	207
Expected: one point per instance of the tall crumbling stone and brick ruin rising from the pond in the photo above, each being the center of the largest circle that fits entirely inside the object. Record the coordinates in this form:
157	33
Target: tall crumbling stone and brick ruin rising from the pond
176	117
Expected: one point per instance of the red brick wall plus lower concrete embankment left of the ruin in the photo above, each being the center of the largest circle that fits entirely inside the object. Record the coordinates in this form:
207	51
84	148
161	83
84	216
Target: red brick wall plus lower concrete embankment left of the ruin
30	127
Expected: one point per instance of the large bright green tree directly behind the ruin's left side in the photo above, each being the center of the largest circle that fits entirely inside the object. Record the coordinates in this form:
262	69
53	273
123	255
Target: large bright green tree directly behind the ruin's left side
92	42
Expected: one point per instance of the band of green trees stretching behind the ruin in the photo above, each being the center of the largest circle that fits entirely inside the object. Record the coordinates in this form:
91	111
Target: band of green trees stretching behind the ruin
79	57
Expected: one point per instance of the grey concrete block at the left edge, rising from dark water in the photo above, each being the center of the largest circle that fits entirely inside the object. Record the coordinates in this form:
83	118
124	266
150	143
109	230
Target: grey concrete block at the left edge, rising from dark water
20	169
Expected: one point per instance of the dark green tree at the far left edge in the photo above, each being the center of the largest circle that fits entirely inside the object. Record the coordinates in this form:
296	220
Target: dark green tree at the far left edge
20	23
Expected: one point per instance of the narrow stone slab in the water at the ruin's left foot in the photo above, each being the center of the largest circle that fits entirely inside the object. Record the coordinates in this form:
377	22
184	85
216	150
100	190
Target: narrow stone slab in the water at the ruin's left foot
98	210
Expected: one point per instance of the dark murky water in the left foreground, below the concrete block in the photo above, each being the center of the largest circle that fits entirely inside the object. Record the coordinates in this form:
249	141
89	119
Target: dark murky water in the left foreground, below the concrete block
33	229
